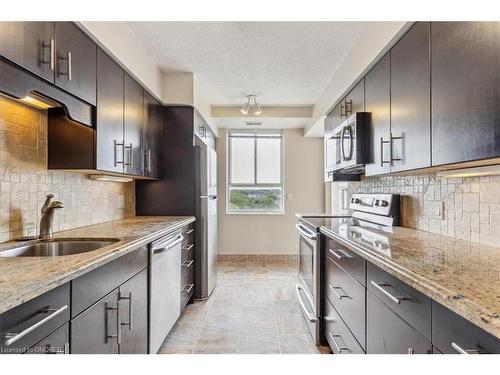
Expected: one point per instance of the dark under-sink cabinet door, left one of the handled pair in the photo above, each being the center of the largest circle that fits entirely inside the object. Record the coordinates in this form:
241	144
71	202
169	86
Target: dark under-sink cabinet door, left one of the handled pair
96	330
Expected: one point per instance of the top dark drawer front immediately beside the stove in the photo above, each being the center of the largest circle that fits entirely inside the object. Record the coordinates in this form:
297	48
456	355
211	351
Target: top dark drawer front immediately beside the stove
350	262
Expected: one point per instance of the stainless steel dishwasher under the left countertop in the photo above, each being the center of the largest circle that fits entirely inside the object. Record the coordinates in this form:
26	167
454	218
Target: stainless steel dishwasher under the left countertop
165	284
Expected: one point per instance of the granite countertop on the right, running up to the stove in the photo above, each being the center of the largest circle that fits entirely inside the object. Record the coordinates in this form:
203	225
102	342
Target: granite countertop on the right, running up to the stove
461	275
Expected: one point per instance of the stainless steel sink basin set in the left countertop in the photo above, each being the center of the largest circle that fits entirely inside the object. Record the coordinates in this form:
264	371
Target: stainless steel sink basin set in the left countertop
57	247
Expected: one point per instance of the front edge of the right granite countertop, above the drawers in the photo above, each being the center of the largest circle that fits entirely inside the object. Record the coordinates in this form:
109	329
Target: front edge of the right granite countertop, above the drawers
440	293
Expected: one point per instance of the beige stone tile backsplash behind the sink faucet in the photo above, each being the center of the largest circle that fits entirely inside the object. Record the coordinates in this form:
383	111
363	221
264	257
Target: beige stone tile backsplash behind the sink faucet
25	180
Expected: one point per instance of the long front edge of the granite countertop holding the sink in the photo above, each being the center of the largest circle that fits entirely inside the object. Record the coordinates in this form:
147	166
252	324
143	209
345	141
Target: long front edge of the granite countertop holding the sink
128	247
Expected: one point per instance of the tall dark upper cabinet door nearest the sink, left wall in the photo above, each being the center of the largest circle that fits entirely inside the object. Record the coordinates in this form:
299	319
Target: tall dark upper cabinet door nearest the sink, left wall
109	138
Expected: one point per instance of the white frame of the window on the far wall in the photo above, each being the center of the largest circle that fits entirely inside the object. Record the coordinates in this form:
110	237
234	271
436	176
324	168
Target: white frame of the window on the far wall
230	185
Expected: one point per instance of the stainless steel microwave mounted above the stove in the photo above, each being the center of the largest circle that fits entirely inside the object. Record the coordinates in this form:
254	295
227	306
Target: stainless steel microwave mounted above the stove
347	147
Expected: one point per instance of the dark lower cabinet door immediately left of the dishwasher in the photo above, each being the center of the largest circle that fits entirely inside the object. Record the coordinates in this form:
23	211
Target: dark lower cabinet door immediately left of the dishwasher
134	309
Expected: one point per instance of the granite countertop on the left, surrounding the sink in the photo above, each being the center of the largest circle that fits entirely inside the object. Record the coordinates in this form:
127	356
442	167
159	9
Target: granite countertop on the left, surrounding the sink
24	278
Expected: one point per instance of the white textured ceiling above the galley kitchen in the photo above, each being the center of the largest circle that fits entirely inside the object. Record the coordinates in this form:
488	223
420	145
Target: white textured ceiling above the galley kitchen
284	63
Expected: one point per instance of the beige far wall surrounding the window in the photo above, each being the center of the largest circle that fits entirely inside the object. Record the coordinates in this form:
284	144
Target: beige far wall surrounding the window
274	234
